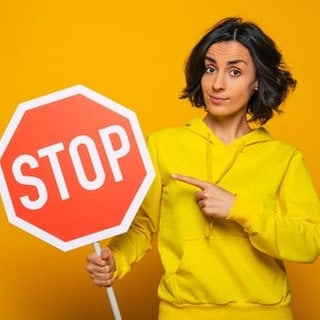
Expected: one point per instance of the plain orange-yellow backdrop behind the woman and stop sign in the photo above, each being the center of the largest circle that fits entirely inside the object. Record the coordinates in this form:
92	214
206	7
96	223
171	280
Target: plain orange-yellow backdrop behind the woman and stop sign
134	52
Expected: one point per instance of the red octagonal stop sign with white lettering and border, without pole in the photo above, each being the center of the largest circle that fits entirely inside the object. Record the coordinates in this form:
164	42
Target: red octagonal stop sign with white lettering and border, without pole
74	167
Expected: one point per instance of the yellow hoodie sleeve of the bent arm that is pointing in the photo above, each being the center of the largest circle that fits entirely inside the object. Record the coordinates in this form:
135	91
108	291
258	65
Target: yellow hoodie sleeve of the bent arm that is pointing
291	231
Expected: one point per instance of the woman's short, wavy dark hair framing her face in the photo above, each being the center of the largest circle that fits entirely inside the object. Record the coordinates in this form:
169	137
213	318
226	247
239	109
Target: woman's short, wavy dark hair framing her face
274	79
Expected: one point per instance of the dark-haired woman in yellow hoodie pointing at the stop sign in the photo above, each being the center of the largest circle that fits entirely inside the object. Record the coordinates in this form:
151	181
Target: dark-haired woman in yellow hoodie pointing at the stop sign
229	203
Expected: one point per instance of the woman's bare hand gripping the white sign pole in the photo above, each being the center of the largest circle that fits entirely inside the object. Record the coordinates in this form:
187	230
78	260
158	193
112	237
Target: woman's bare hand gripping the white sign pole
101	268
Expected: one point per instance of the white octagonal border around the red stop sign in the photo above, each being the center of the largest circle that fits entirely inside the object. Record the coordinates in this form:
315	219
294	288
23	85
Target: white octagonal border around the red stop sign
140	194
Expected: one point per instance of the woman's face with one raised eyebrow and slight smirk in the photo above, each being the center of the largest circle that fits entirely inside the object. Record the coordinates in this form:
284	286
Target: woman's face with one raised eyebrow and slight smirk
229	80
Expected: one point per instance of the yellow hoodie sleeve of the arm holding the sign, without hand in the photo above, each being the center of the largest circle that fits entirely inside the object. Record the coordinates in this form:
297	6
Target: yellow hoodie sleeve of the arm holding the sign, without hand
131	246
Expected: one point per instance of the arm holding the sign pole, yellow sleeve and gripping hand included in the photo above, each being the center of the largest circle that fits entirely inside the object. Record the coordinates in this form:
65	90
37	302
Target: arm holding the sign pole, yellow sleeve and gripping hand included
128	248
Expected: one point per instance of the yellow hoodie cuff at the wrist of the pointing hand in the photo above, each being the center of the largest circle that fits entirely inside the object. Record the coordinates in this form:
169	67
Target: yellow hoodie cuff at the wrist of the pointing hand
245	212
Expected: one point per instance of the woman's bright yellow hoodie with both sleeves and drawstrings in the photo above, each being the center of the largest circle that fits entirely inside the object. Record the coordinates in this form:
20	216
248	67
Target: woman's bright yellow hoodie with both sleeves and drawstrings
224	268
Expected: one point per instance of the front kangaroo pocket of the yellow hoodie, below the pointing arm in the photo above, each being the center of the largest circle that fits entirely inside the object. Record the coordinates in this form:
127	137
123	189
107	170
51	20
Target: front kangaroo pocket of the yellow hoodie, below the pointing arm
228	270
